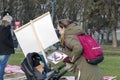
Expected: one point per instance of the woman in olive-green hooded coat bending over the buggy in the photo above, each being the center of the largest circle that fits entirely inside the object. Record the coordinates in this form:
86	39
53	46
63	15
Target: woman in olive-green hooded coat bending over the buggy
73	48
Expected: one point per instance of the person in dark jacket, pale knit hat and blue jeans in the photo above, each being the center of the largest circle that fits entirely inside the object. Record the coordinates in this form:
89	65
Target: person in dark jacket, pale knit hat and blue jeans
6	43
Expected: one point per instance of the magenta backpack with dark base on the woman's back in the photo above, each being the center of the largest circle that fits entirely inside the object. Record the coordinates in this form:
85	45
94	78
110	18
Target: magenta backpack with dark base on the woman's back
91	49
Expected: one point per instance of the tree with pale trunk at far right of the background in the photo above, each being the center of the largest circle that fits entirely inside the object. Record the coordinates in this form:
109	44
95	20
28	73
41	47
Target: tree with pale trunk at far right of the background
102	15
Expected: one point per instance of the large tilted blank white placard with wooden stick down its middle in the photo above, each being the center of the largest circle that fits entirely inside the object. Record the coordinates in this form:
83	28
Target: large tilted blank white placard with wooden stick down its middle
37	35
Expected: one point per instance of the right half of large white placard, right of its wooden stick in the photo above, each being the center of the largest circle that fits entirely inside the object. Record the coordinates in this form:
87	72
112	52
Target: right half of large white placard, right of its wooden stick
45	28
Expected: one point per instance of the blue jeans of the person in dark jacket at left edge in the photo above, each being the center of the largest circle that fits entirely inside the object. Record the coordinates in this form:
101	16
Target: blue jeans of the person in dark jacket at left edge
3	63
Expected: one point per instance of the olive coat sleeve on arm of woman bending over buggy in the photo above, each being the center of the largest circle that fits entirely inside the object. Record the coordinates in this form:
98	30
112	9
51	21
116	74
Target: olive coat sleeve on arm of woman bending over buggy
76	48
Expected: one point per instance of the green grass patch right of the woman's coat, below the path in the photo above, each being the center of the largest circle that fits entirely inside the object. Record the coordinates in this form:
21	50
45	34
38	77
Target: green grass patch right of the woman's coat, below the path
111	66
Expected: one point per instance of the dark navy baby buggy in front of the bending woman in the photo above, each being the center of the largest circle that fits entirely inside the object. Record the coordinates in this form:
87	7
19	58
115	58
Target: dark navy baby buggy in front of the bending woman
32	60
